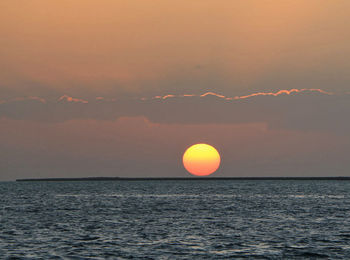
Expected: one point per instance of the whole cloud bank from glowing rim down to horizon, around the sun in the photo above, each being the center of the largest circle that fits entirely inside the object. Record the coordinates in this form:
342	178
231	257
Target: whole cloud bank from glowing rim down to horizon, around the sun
285	133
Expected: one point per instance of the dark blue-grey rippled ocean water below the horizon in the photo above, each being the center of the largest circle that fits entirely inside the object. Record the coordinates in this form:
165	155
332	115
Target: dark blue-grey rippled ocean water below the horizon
254	219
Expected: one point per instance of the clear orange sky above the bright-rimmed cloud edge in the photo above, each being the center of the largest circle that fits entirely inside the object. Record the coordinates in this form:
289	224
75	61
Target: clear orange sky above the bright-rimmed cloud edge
89	47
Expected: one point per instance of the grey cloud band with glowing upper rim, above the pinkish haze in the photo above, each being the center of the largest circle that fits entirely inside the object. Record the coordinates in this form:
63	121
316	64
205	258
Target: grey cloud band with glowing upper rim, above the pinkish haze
306	109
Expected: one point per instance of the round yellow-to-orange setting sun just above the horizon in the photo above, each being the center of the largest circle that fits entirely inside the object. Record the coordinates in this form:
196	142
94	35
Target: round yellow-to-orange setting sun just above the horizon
201	159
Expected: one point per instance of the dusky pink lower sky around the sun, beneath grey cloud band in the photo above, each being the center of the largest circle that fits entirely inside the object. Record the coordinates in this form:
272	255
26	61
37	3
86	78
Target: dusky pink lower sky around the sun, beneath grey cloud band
136	147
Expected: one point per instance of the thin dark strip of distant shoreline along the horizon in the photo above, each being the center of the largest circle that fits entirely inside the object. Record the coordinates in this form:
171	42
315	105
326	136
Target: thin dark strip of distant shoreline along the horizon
181	179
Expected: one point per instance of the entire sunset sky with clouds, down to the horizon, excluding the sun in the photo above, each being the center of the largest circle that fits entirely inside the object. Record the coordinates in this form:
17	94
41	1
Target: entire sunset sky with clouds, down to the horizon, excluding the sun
122	88
